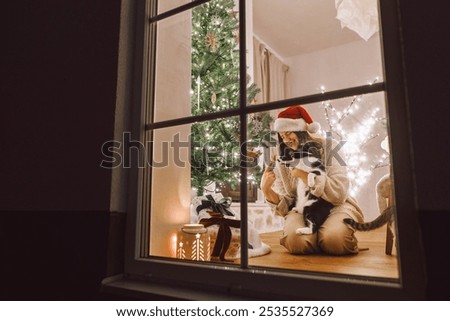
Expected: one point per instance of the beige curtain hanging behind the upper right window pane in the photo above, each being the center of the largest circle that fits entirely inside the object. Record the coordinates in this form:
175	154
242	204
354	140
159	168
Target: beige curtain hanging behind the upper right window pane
269	72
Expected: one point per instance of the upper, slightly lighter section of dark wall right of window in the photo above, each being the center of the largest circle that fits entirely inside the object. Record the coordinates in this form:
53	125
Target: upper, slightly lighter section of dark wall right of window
426	34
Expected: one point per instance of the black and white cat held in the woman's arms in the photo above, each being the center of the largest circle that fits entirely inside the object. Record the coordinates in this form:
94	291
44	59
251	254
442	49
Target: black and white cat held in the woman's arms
315	209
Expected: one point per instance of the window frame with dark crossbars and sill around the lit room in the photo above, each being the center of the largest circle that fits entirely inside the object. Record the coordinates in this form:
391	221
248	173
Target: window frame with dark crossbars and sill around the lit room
145	275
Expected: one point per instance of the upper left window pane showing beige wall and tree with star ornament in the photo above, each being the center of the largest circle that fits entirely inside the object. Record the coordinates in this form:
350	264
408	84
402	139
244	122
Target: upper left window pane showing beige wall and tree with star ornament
197	62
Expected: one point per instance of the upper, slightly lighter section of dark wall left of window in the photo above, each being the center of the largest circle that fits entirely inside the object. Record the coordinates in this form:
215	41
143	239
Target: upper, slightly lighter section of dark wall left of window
58	104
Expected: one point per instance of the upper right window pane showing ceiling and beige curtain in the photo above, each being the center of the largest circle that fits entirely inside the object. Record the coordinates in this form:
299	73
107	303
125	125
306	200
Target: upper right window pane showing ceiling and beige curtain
301	47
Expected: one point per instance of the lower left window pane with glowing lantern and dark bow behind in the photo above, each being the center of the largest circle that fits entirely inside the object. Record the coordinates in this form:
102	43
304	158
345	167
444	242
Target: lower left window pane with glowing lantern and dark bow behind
190	164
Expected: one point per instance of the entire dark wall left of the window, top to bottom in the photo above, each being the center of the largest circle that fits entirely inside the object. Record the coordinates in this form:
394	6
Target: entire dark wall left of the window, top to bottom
57	108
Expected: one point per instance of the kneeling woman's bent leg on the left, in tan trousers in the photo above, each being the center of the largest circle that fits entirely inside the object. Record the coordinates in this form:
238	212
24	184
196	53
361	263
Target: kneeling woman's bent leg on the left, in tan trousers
294	243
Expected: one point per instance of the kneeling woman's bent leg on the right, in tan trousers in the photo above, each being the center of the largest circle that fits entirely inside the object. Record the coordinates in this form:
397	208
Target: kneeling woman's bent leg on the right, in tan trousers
335	237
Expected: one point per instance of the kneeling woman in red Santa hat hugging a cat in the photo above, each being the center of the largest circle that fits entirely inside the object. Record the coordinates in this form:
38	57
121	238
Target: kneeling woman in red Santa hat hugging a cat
295	126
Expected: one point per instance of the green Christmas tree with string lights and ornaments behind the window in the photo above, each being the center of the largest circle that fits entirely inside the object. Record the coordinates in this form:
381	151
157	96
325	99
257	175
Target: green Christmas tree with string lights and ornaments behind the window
215	148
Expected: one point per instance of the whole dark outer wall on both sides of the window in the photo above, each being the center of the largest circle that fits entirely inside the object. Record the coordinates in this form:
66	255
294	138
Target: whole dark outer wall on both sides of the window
57	108
